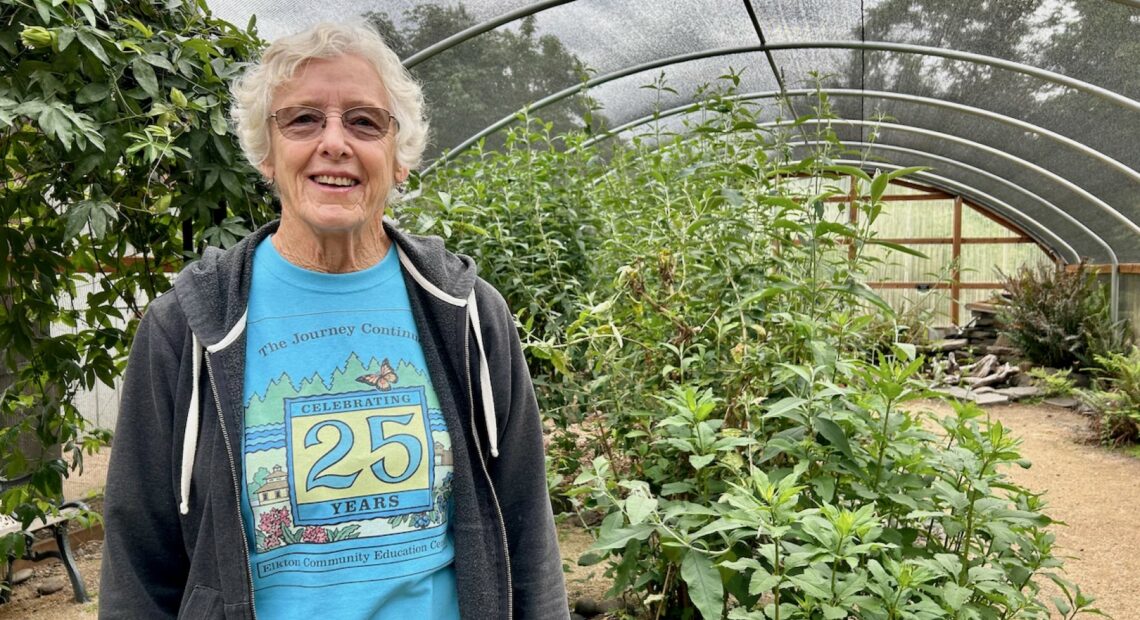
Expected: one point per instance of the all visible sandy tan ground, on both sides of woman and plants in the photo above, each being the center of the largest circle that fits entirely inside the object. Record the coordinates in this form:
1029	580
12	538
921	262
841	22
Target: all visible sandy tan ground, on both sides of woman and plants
1094	491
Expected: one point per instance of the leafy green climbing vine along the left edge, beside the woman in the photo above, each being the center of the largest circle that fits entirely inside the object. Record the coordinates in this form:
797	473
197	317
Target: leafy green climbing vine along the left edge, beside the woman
118	166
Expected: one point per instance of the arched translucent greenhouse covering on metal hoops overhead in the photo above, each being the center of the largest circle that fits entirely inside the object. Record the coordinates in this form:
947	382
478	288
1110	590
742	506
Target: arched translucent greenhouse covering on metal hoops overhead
1028	108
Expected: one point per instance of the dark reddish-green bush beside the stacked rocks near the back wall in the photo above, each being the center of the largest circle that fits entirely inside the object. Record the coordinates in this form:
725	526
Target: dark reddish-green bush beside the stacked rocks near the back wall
1061	319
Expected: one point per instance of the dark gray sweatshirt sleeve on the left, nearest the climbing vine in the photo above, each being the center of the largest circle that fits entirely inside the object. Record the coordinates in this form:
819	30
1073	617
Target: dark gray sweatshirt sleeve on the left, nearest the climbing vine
144	559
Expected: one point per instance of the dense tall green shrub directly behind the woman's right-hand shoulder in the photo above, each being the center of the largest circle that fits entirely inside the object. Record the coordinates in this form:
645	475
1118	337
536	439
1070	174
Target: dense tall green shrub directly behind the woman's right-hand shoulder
524	213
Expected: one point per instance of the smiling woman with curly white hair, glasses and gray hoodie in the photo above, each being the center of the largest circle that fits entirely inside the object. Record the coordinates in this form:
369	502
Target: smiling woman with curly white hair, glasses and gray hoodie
333	419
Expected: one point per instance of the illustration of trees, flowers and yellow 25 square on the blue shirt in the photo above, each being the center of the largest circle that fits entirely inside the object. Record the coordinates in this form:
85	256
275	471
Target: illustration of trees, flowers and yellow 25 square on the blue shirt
363	454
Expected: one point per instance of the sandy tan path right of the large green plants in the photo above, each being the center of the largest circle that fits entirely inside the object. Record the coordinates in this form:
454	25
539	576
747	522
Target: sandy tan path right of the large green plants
1095	492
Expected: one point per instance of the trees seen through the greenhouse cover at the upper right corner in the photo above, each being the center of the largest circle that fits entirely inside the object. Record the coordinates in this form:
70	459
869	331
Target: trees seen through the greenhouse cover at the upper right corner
1086	39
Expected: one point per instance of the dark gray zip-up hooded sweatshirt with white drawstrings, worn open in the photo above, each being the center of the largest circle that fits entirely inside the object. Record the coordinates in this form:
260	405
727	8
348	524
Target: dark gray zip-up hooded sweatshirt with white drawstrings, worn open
175	544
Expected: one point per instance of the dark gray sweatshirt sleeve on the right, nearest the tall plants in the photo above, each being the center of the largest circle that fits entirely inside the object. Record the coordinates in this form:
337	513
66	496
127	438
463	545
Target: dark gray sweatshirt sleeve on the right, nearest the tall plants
519	475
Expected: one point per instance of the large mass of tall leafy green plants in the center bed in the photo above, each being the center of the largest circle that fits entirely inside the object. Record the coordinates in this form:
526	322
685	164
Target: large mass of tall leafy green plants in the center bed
752	454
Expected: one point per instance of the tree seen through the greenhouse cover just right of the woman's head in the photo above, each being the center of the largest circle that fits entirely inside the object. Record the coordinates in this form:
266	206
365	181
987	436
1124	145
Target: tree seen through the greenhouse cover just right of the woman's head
483	80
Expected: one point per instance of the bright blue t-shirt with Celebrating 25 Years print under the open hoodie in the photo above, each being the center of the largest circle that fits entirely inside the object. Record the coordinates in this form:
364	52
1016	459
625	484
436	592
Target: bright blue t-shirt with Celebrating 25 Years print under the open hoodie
347	459
